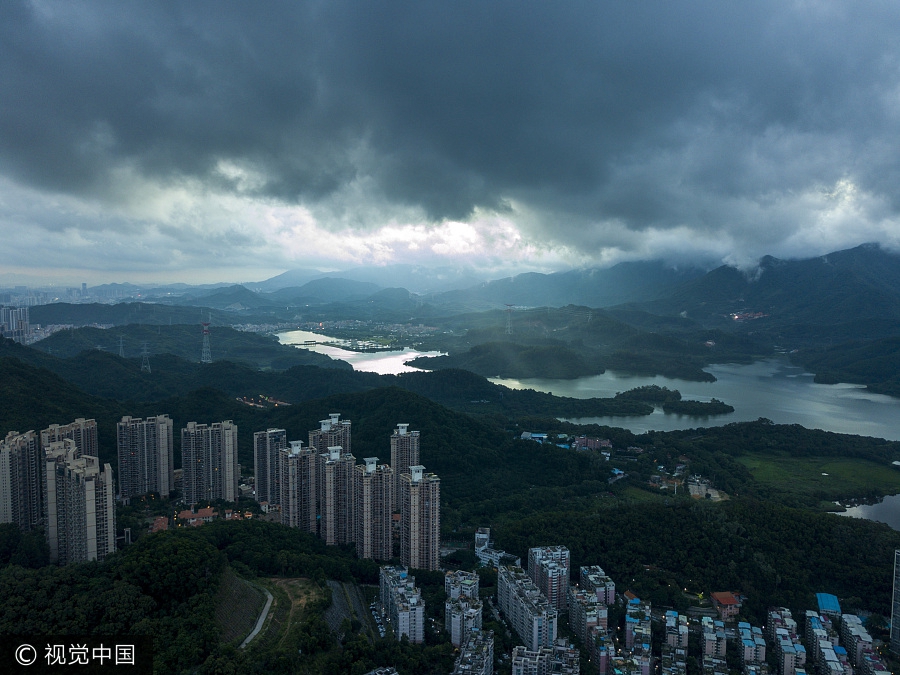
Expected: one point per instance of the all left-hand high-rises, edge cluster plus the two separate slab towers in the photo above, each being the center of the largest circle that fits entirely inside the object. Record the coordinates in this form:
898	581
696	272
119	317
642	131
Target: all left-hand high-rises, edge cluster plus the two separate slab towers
56	480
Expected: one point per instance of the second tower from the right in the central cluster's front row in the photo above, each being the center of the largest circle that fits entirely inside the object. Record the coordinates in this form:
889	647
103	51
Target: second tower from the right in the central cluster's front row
373	484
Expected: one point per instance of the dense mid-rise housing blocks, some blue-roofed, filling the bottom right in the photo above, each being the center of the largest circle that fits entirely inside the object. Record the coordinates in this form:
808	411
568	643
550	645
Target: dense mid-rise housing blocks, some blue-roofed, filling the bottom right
832	643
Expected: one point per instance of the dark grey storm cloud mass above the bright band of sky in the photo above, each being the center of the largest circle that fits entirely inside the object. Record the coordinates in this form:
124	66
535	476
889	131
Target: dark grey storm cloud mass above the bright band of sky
650	114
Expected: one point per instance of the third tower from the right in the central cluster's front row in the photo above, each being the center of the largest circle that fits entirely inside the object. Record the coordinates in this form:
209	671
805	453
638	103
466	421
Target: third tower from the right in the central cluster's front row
337	504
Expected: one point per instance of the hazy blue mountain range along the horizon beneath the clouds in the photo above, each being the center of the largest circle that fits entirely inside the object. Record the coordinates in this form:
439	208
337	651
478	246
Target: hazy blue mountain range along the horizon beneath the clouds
855	285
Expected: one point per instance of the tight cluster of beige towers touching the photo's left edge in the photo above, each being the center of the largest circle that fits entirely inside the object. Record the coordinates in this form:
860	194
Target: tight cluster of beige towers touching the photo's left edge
55	480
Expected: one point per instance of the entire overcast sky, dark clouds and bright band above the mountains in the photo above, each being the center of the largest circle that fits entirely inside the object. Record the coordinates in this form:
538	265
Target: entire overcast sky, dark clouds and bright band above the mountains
226	141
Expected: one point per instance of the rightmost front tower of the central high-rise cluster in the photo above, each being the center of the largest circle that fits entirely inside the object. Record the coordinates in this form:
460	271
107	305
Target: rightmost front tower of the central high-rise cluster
420	519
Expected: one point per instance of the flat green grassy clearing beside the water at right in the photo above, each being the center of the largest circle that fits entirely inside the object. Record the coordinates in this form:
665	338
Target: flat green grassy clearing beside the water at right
828	478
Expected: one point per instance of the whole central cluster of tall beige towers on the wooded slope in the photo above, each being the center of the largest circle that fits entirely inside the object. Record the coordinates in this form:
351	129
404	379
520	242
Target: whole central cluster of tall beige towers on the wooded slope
320	488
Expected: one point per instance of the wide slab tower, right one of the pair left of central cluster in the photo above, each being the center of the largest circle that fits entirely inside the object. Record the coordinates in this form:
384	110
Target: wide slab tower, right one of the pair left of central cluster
209	462
